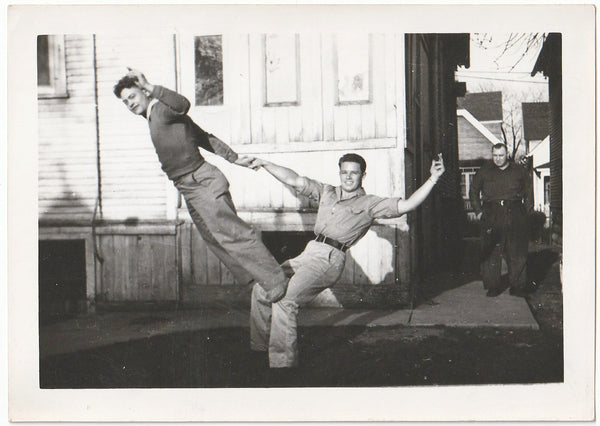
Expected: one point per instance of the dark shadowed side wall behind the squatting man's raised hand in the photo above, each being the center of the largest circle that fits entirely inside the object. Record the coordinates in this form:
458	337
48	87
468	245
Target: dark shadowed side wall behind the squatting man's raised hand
431	128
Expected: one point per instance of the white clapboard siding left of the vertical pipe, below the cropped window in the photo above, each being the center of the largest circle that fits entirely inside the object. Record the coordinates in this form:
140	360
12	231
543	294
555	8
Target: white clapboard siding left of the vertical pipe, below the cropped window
67	140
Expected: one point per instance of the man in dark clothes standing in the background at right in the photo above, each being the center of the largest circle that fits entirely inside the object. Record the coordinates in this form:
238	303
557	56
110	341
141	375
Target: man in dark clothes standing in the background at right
501	196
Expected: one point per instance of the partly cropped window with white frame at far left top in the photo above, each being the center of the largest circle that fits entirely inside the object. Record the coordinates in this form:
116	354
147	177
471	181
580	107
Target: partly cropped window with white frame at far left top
51	72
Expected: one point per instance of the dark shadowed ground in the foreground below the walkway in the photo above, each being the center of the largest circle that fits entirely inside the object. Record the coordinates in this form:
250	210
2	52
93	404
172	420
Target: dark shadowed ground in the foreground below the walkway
334	356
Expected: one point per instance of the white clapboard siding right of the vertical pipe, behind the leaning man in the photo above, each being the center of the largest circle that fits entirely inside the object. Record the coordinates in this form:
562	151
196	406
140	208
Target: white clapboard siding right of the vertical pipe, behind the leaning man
133	184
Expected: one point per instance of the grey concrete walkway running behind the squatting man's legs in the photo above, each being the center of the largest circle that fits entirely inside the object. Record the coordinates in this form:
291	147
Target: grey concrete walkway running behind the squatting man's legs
464	306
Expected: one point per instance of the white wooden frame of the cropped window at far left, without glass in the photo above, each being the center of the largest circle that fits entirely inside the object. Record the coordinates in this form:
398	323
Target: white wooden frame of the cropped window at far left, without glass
57	69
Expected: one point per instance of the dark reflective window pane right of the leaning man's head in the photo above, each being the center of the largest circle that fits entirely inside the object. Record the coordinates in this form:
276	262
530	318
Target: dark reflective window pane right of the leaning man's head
209	70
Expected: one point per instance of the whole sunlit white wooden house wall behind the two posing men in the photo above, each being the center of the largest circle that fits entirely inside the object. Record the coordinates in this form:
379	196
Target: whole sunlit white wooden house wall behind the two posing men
309	136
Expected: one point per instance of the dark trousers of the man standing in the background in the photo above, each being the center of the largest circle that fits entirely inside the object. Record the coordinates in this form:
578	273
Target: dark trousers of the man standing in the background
504	234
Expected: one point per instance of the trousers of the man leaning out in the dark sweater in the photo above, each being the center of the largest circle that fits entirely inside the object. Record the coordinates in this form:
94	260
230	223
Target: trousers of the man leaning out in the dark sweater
234	242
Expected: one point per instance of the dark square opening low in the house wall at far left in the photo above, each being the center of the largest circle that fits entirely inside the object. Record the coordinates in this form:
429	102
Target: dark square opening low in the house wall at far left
62	279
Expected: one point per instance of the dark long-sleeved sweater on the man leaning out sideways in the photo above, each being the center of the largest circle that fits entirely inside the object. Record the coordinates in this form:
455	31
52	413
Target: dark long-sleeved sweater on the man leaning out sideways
176	137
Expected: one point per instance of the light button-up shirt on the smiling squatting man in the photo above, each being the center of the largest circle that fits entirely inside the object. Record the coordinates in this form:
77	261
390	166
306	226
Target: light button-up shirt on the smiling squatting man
346	220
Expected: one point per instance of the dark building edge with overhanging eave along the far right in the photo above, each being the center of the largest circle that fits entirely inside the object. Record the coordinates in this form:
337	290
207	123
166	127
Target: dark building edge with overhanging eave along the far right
549	62
